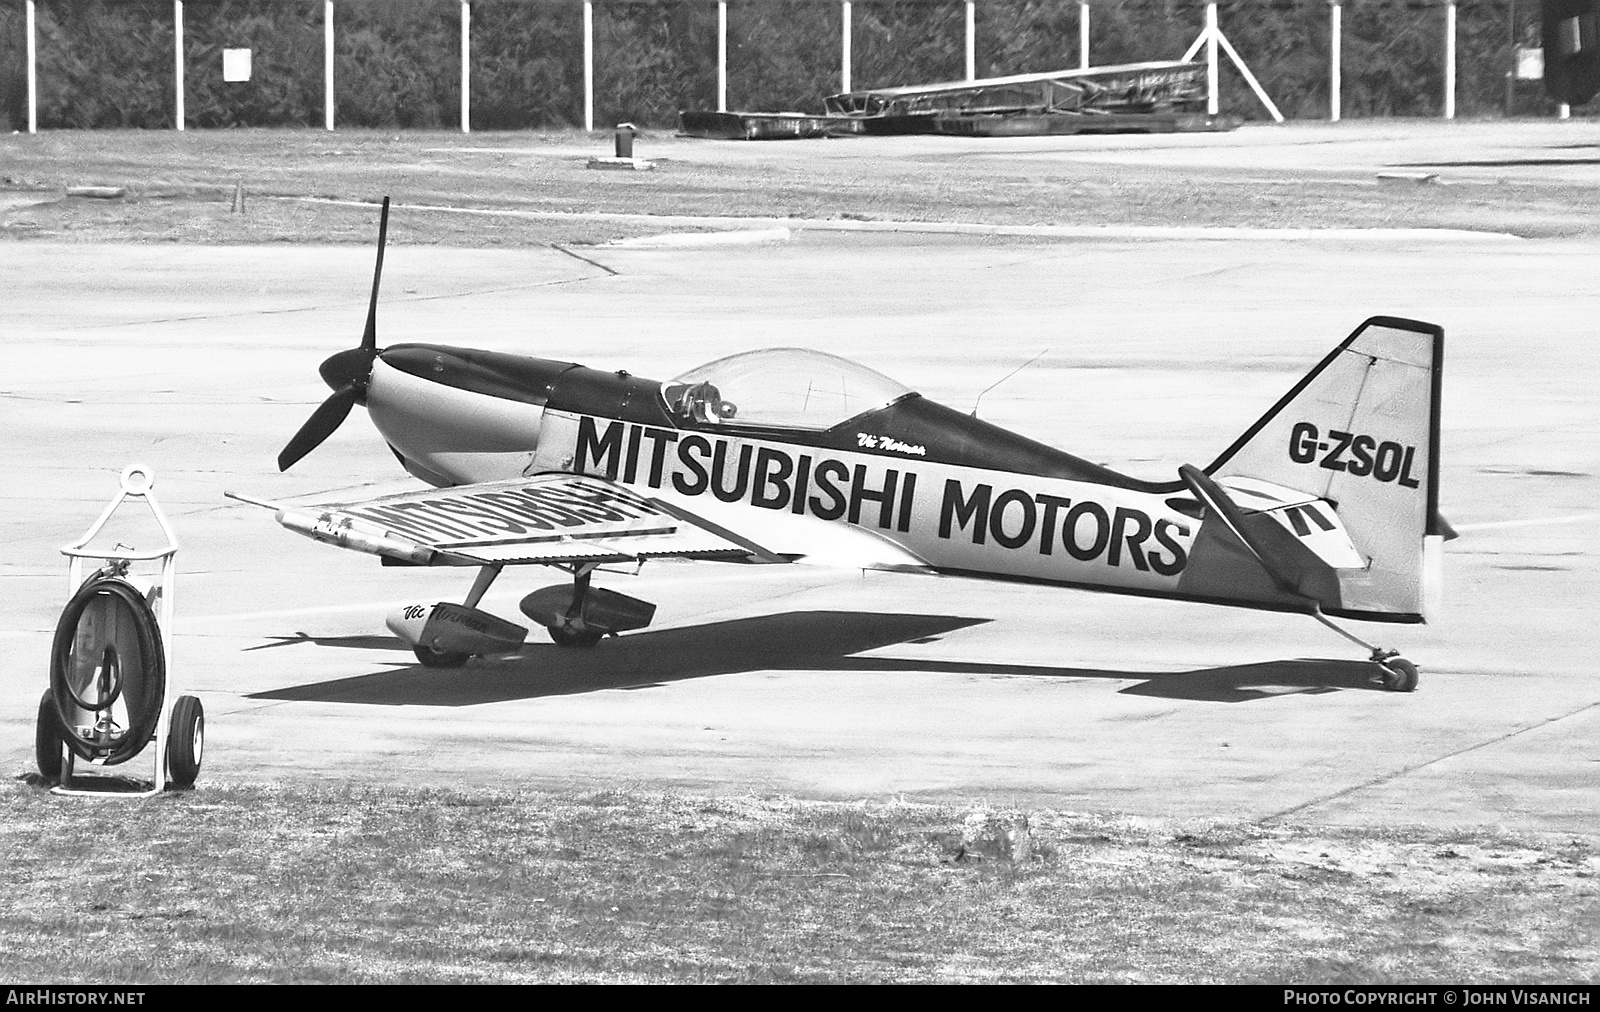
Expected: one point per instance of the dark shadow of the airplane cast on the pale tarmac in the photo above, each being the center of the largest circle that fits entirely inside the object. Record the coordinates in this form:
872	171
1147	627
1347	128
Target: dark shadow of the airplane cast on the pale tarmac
798	641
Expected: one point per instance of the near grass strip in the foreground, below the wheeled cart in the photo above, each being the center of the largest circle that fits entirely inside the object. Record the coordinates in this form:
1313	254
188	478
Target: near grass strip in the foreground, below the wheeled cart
394	885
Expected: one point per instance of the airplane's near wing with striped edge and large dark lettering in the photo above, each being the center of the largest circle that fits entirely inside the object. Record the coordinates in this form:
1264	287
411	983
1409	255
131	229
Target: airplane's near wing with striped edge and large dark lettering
543	520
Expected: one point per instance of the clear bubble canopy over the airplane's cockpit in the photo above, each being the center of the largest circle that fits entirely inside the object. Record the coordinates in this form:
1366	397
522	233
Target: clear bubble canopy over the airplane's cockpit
788	388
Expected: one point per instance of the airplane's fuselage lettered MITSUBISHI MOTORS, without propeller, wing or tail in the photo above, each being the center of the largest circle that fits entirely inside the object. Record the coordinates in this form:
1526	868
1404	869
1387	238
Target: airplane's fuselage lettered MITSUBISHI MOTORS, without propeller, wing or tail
905	484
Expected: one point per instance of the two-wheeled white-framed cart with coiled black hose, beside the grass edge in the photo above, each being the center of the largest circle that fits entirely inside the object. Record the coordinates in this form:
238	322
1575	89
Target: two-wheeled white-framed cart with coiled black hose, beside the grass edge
110	665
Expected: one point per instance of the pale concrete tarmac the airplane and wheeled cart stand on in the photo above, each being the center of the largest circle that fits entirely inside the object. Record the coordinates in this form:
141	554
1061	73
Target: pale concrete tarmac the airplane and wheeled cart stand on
201	363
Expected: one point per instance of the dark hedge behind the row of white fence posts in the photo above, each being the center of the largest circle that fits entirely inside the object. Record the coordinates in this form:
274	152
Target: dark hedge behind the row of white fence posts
398	63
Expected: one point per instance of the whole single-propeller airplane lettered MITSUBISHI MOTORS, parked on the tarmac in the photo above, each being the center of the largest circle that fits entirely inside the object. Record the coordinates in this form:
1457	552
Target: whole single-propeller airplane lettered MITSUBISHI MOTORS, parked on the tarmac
1329	505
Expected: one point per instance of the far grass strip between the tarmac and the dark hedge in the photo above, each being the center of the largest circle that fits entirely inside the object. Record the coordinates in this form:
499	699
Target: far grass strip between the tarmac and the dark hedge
180	188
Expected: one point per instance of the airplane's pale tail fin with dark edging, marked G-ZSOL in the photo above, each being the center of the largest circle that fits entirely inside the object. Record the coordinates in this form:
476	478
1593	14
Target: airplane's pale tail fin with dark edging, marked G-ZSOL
1361	432
